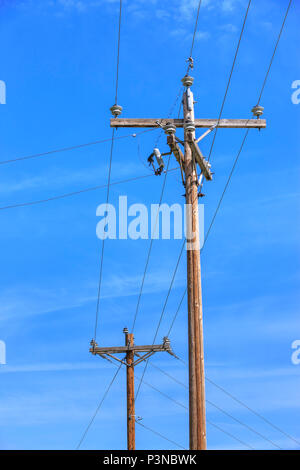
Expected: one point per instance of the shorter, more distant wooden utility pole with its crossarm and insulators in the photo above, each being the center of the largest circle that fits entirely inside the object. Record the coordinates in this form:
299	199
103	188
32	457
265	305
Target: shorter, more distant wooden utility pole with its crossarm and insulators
130	350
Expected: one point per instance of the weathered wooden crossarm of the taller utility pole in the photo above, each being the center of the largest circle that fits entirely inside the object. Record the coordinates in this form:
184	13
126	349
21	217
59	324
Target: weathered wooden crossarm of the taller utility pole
223	123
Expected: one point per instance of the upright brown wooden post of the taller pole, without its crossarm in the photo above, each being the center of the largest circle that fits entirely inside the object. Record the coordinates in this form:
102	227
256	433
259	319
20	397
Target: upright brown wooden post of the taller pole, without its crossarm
196	355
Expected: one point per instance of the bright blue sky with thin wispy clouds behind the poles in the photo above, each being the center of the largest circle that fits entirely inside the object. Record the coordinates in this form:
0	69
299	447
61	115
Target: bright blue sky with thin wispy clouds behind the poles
58	60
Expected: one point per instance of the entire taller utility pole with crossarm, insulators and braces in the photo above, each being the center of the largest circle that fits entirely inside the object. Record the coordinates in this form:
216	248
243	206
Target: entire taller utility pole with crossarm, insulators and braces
188	164
